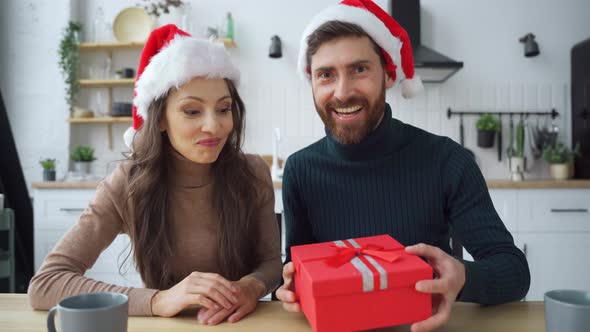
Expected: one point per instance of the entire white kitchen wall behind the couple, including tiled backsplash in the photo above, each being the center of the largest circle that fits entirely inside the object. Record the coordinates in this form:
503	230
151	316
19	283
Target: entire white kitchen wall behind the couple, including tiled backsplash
482	34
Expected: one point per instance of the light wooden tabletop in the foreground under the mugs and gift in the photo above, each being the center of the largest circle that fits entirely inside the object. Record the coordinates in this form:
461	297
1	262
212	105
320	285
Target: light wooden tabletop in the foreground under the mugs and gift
17	315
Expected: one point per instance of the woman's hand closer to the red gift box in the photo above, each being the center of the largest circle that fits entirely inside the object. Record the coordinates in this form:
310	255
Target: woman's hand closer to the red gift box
250	290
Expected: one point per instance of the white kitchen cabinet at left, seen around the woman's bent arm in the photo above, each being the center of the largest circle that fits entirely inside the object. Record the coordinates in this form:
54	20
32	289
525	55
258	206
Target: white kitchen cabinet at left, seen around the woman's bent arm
55	211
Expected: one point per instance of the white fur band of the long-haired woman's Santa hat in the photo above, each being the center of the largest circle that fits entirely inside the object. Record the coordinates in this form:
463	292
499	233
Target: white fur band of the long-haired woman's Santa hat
183	59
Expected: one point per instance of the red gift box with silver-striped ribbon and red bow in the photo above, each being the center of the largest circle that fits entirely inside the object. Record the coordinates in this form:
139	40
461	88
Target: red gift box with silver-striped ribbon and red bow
360	284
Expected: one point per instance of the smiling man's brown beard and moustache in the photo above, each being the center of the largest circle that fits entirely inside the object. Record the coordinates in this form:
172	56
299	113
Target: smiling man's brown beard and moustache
354	132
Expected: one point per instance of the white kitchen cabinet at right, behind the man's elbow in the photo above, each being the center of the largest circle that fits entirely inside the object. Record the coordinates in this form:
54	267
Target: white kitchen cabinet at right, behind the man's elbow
552	228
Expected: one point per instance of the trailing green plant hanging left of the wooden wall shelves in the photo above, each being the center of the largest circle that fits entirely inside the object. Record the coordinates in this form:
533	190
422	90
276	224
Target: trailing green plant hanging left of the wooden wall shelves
69	61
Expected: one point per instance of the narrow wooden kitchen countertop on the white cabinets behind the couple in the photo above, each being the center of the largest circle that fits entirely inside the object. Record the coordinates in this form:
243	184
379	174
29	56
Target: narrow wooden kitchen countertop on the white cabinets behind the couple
492	184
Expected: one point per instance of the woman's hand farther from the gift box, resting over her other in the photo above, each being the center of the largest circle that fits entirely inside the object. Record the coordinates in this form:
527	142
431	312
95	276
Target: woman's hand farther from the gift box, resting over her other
208	290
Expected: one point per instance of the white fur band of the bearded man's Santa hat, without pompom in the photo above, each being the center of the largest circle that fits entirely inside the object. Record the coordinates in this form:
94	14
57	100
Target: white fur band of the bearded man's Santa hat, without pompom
372	25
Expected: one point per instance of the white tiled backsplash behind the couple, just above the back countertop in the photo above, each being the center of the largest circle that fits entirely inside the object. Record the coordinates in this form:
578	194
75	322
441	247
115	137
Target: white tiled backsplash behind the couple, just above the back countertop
289	106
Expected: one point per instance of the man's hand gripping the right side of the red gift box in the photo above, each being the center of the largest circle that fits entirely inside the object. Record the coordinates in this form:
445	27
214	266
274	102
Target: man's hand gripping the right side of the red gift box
449	280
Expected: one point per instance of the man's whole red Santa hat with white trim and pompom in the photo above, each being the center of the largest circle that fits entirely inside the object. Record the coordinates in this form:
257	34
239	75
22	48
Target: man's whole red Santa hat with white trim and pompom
382	28
